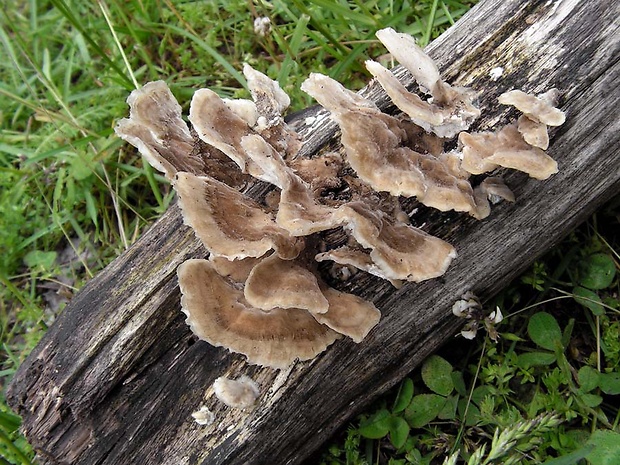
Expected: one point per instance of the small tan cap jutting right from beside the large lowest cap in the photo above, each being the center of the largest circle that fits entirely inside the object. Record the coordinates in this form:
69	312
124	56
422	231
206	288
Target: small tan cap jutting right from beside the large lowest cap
348	314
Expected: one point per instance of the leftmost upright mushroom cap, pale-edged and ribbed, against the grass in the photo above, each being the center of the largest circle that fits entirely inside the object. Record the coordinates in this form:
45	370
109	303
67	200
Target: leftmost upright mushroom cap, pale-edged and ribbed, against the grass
156	128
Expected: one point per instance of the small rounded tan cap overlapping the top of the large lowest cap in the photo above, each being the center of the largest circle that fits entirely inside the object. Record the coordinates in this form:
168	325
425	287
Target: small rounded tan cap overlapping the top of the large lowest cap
274	283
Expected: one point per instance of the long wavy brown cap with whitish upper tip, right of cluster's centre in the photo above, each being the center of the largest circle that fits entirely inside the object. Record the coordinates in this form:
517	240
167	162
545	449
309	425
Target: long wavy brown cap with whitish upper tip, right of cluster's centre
374	146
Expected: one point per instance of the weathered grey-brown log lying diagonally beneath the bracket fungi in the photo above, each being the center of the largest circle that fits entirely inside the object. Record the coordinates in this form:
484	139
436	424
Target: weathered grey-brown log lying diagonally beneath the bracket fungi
117	376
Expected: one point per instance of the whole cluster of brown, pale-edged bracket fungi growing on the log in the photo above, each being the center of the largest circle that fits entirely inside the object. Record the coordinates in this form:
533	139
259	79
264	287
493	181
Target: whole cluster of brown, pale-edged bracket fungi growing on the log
260	293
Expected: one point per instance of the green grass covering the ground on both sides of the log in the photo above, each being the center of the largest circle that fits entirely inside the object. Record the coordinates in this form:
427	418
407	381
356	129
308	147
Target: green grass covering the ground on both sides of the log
73	196
